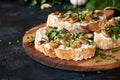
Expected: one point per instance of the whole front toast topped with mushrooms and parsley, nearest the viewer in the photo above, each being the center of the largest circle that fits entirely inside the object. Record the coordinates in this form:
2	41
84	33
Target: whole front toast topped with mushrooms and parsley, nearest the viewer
61	43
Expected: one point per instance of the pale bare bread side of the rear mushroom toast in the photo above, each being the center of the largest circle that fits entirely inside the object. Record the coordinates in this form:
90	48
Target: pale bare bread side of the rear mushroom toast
54	21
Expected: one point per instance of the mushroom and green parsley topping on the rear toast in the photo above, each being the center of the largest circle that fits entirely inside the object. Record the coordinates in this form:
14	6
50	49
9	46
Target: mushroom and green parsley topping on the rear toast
79	15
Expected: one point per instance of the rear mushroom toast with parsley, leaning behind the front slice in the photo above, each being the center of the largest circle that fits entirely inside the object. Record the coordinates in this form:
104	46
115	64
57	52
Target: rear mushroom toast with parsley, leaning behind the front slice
78	22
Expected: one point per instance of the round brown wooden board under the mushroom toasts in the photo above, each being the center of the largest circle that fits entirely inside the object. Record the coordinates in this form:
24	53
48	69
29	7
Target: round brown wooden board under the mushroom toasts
84	65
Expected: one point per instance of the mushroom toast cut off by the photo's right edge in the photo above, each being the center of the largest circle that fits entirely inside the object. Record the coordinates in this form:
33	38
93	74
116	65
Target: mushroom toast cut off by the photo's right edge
109	37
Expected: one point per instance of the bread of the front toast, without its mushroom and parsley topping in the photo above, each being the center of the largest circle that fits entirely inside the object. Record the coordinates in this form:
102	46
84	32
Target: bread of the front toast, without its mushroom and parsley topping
85	51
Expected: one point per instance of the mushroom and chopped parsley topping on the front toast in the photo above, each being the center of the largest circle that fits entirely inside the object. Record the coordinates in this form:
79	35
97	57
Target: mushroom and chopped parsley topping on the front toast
66	38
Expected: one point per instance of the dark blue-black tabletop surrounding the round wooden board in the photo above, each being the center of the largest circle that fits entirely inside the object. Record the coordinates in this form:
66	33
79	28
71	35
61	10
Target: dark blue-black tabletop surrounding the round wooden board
15	19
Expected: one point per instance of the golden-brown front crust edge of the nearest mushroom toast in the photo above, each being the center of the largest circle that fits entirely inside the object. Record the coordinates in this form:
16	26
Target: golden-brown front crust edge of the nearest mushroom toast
67	54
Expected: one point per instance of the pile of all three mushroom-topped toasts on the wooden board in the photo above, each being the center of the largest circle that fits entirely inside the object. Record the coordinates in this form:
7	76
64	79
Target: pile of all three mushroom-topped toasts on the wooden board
75	36
